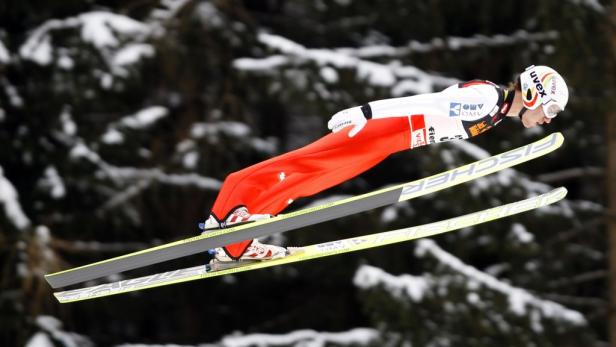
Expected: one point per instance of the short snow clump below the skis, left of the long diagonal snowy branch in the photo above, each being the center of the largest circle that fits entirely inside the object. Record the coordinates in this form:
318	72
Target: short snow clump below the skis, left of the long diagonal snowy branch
411	286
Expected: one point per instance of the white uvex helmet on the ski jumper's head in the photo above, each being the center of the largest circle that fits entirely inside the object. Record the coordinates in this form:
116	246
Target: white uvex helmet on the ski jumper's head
542	85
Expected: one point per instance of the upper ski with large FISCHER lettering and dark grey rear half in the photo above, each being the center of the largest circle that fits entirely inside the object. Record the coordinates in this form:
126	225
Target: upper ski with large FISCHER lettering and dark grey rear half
307	216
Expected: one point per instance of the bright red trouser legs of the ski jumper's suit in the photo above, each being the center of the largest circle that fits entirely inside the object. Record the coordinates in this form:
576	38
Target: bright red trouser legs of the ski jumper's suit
269	186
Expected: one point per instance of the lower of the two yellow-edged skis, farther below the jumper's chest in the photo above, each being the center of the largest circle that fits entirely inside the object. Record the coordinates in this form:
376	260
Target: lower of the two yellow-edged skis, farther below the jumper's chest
315	251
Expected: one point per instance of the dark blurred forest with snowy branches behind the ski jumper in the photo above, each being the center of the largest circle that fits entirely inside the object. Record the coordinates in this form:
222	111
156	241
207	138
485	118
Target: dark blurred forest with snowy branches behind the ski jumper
119	120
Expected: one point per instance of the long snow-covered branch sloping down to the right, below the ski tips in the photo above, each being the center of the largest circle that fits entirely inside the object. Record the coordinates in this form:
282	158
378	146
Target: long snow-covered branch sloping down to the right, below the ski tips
519	299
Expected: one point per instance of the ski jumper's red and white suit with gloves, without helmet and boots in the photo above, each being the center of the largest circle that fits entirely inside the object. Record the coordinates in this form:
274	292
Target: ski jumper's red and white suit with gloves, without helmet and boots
458	112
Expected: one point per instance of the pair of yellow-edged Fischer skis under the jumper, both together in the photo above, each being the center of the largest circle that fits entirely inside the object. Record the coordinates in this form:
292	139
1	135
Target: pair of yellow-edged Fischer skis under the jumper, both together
310	216
